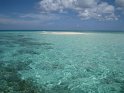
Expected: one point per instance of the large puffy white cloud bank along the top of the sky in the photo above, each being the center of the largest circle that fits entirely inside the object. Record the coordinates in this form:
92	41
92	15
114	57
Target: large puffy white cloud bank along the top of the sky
86	9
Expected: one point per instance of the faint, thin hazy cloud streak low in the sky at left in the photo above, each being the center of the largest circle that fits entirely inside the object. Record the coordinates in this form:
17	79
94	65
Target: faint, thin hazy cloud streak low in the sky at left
28	19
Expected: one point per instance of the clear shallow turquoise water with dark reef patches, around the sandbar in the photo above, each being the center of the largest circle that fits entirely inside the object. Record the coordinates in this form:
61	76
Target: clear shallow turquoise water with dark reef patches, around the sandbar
43	63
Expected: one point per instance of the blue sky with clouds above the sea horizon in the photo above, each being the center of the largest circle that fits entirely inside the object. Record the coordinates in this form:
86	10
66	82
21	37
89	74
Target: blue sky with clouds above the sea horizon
62	15
